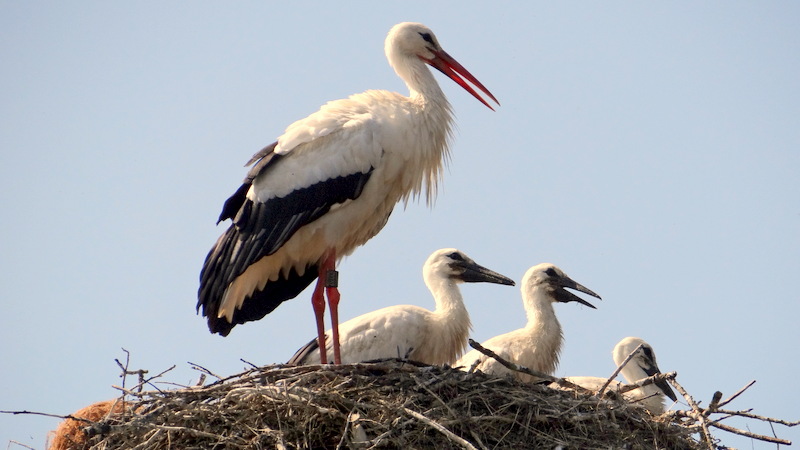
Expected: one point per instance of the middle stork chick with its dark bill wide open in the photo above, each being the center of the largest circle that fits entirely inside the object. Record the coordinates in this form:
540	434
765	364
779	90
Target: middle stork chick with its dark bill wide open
538	344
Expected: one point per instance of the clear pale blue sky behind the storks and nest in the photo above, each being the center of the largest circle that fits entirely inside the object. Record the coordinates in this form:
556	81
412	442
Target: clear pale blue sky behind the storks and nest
651	151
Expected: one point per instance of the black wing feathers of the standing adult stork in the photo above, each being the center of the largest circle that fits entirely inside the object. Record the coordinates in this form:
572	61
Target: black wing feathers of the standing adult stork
259	229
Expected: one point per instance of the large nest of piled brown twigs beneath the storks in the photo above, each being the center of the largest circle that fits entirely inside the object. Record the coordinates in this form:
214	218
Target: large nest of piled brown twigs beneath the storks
386	404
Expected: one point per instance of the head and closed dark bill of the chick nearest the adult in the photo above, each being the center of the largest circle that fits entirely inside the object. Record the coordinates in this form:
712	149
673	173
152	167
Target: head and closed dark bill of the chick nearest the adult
452	264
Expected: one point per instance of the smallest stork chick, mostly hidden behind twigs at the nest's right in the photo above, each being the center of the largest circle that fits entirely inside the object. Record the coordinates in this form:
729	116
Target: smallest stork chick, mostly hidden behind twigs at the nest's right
642	365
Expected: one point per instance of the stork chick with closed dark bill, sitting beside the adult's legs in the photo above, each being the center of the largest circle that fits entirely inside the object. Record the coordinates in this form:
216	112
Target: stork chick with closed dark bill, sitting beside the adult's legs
408	331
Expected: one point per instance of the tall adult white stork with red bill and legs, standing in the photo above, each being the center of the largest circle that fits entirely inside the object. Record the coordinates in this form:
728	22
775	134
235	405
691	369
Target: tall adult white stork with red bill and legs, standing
328	185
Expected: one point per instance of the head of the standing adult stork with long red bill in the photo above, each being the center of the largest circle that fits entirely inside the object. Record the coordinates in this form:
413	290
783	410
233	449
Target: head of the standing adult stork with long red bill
409	46
